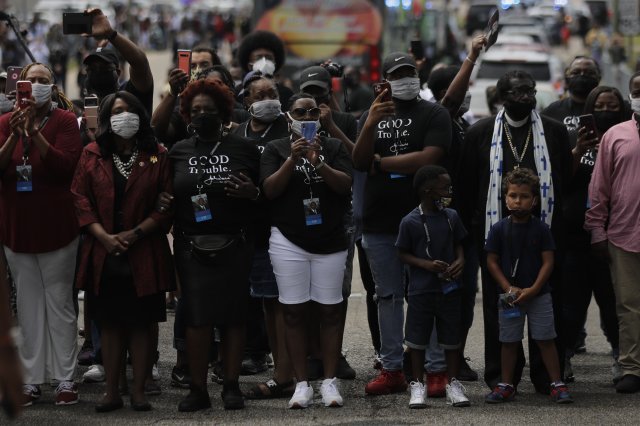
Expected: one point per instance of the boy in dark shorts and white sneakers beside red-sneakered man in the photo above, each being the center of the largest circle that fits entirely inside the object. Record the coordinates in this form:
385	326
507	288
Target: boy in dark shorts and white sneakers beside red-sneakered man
429	242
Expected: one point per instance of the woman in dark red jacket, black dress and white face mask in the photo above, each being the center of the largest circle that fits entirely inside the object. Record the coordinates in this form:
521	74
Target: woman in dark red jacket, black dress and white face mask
125	262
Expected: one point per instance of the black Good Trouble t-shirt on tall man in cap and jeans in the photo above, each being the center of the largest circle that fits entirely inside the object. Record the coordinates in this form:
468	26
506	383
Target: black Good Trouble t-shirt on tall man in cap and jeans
390	196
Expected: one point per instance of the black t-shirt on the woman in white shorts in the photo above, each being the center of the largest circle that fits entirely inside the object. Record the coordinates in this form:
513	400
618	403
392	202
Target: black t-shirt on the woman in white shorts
288	211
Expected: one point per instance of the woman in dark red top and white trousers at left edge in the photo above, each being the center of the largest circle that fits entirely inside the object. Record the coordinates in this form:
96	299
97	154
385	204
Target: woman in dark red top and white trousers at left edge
39	148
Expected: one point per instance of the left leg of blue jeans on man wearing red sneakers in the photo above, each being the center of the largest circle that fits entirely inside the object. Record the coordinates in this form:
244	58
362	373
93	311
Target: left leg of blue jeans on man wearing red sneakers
388	275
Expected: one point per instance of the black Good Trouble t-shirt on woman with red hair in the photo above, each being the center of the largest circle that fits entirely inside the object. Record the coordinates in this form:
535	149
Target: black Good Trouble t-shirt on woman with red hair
193	165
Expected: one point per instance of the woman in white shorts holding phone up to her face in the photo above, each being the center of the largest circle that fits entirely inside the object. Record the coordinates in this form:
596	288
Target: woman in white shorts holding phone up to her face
308	180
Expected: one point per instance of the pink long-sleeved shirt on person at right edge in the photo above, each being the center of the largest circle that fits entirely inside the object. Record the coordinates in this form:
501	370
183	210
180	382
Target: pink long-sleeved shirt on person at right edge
614	190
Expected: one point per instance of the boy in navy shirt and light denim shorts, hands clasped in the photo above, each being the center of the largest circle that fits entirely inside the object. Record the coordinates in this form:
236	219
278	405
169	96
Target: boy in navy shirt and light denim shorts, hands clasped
520	258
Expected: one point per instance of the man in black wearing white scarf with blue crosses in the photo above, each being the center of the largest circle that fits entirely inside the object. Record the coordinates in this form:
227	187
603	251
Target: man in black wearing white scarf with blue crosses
524	139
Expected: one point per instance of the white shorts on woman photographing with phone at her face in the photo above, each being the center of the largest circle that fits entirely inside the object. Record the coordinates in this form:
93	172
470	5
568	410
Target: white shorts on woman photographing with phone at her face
304	276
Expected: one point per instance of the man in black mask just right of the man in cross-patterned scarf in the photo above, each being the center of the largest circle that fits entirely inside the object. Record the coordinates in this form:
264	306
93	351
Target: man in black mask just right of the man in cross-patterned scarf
581	77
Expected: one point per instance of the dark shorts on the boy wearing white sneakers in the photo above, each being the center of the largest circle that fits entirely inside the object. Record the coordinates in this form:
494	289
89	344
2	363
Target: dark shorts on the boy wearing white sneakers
425	309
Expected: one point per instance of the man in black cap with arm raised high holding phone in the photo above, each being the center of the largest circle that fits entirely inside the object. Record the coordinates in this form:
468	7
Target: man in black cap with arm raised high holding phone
103	66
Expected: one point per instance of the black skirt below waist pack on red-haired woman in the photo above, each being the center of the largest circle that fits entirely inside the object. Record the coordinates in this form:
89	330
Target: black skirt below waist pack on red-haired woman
213	295
